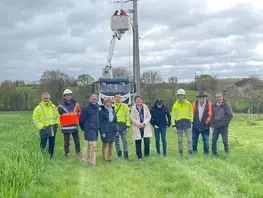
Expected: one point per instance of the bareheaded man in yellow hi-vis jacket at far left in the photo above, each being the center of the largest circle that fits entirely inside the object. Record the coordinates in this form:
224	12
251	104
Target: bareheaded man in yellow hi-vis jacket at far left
46	120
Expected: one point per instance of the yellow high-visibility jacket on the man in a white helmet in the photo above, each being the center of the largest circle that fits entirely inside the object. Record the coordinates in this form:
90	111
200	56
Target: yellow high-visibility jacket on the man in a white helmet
182	110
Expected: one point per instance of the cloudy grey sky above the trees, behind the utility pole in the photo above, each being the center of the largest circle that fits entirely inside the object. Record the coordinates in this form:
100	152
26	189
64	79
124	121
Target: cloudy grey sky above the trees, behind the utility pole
219	37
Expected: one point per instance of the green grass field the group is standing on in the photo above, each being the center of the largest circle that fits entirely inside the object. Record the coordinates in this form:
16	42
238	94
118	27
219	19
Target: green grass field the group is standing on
24	172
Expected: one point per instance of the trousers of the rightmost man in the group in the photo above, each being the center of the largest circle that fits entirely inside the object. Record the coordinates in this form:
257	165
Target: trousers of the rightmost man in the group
224	134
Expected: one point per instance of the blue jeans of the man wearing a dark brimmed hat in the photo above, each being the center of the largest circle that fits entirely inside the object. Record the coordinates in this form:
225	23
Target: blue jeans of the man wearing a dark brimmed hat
195	137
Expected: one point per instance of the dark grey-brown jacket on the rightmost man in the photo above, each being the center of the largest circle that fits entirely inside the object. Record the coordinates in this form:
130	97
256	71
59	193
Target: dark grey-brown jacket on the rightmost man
222	115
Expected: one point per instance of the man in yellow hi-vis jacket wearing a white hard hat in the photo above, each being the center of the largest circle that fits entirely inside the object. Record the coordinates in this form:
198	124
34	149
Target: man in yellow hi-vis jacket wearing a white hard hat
182	118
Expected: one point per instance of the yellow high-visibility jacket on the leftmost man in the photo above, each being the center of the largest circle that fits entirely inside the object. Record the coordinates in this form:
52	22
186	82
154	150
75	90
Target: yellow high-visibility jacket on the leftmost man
45	114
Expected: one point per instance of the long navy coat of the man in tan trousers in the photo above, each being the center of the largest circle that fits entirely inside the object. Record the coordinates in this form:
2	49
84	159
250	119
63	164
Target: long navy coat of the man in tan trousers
89	122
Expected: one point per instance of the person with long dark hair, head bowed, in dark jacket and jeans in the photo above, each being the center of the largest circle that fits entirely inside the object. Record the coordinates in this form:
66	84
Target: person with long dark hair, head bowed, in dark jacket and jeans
161	119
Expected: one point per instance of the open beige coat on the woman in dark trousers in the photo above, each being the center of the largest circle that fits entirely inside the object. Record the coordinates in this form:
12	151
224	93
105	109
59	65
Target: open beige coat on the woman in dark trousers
135	118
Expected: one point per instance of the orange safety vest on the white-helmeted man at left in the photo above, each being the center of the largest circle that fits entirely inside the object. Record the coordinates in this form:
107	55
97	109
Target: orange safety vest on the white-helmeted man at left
70	118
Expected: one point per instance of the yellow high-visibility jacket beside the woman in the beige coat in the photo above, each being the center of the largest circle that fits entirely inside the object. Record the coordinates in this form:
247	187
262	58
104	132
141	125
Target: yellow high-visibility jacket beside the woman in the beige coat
123	113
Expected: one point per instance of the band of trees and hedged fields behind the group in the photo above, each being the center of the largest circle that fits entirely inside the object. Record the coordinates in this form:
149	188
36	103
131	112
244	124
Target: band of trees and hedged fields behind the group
244	94
